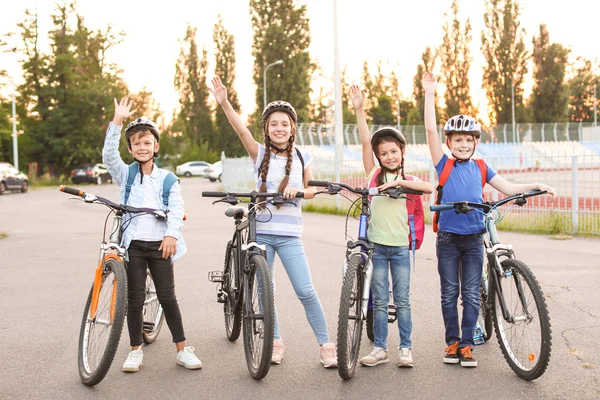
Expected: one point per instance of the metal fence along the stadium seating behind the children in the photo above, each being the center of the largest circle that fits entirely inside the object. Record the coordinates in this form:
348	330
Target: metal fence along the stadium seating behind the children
572	168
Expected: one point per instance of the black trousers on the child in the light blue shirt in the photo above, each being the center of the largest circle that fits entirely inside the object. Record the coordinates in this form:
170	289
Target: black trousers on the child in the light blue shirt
143	255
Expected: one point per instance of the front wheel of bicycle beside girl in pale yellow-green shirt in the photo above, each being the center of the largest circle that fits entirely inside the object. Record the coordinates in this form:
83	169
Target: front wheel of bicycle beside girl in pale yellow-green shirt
350	334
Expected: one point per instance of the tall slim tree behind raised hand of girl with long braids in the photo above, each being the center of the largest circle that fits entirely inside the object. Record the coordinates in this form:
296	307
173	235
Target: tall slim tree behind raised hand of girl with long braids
225	68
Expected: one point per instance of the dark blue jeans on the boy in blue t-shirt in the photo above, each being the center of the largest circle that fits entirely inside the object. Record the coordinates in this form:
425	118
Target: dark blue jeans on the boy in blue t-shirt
460	263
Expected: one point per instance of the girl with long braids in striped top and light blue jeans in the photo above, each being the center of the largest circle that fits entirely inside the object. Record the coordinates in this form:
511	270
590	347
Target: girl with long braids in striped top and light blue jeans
279	168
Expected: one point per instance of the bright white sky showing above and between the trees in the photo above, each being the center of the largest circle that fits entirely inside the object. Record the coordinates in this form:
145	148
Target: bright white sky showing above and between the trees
390	30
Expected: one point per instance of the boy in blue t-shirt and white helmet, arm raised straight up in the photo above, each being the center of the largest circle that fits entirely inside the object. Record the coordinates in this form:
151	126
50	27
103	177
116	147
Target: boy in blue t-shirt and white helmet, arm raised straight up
459	241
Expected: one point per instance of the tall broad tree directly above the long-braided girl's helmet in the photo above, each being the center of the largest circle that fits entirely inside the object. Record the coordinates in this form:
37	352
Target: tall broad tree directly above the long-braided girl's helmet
281	32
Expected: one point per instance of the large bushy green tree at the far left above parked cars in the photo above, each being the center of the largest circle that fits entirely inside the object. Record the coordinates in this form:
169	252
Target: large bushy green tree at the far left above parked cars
66	92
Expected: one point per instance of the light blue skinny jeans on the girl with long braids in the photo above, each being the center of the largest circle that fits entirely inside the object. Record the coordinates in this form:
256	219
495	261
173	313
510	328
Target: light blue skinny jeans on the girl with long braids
291	253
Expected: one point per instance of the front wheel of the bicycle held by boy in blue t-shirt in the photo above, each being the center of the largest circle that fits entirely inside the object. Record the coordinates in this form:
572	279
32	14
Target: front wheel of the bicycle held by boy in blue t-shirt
526	344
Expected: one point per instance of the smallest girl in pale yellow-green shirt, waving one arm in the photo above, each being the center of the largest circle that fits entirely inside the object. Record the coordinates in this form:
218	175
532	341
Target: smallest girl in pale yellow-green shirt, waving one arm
388	231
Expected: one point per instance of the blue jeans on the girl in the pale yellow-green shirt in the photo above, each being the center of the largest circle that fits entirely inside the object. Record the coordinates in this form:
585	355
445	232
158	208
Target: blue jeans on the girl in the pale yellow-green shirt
397	260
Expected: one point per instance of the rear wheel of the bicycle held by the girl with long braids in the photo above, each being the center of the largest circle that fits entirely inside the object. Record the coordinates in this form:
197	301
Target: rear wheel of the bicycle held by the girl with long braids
232	307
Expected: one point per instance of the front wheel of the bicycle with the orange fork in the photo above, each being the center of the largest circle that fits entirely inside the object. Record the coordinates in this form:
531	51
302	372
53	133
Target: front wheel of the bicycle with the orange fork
99	338
